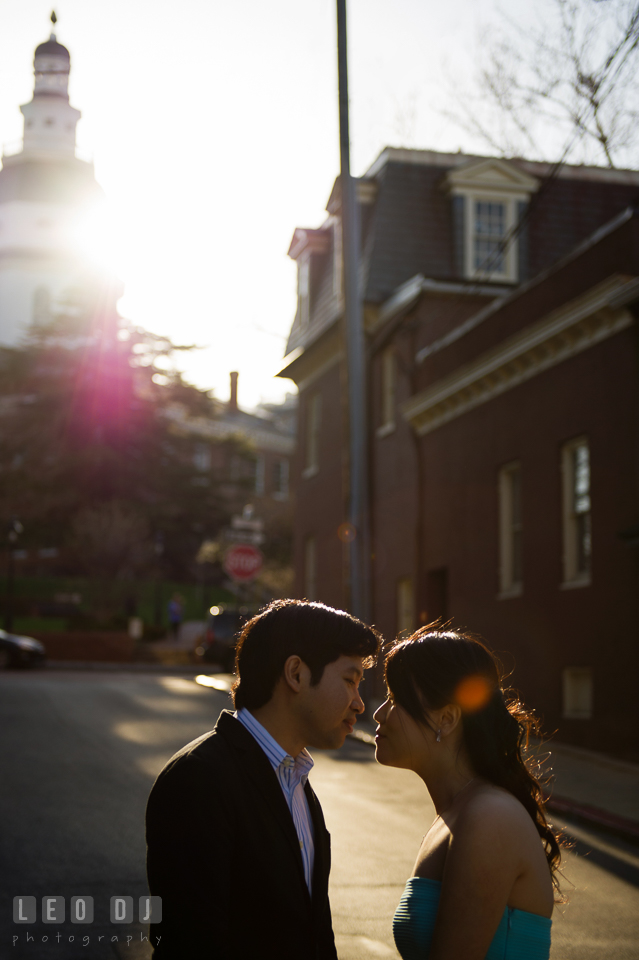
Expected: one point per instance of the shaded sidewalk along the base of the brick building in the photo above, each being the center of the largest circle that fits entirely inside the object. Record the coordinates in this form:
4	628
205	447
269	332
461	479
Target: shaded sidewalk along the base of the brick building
595	788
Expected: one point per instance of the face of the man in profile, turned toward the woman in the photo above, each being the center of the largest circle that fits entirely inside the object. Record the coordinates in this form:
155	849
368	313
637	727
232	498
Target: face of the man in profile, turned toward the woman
328	711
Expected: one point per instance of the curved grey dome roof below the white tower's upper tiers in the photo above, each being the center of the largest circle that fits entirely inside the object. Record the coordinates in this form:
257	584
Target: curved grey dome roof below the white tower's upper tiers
61	181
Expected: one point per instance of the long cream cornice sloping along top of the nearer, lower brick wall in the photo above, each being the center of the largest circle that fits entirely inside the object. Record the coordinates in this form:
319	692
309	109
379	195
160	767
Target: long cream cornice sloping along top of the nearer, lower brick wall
580	324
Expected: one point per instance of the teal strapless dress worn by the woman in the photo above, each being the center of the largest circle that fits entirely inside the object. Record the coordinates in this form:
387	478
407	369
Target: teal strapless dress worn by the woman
520	935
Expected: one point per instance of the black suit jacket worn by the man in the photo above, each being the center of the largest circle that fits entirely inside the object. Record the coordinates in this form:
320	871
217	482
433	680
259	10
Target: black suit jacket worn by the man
224	856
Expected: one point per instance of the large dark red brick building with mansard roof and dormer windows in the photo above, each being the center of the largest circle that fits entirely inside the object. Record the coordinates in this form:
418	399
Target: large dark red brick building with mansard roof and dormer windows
501	300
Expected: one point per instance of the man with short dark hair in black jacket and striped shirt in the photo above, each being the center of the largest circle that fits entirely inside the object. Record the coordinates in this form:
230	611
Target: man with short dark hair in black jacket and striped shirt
237	845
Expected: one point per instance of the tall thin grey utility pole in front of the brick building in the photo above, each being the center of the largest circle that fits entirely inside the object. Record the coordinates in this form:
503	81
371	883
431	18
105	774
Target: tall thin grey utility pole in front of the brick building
355	351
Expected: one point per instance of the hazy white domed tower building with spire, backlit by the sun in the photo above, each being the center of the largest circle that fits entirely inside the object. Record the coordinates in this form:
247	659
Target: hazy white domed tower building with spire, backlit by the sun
45	190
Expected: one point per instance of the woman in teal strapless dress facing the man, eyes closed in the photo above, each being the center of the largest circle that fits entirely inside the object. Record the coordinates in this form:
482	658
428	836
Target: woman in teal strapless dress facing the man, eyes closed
485	875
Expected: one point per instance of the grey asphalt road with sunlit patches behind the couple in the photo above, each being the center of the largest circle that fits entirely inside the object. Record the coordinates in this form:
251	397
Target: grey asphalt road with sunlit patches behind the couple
79	752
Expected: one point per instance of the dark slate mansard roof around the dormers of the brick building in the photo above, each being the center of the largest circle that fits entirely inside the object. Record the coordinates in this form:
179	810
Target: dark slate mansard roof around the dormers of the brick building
407	226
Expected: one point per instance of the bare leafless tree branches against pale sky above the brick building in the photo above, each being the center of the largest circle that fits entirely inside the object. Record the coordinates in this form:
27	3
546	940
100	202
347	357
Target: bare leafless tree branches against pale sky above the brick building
566	90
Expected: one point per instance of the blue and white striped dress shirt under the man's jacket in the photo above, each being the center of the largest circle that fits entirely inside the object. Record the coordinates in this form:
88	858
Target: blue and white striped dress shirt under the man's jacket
292	774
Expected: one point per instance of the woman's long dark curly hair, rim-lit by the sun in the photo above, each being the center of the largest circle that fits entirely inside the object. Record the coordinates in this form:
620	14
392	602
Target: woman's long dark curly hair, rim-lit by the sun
435	667
